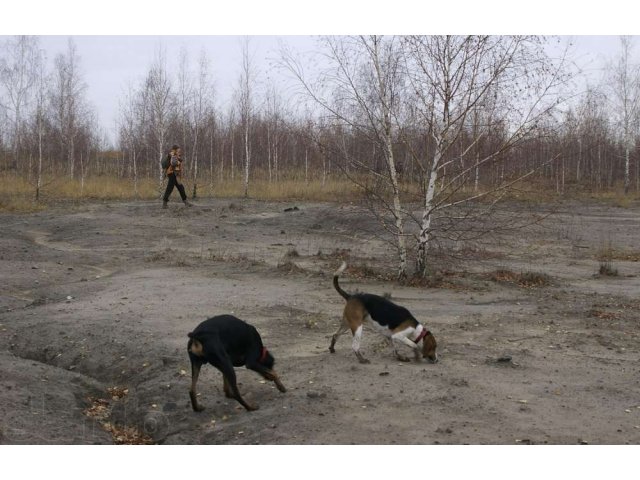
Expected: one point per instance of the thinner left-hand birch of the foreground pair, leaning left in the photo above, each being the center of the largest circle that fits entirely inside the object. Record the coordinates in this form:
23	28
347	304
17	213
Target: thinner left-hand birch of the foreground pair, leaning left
362	90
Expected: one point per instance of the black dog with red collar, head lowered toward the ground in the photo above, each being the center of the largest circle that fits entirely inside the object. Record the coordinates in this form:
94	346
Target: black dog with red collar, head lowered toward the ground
225	342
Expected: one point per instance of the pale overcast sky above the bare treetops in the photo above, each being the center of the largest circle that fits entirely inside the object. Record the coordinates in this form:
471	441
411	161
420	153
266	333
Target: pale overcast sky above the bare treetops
109	63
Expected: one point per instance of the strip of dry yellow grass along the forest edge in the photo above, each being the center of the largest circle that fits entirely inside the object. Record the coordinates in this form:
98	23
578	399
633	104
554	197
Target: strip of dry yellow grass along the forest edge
18	195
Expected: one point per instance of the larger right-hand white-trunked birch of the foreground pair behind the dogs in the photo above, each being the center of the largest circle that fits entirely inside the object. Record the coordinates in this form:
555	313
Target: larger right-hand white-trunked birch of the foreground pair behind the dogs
451	77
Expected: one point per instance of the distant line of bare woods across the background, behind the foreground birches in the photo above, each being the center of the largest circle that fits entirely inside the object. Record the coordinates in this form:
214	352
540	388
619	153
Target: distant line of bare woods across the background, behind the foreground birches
46	122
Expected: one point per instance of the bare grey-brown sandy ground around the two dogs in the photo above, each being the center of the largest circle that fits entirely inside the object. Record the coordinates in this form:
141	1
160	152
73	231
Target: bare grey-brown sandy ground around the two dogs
97	300
